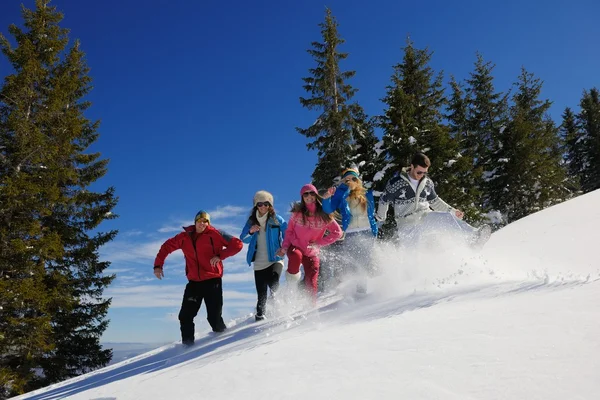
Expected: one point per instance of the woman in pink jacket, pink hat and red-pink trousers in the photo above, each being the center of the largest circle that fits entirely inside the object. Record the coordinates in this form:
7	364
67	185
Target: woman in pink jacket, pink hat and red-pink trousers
304	236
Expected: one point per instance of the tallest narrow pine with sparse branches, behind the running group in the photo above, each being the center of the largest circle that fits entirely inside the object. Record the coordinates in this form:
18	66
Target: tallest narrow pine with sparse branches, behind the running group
332	134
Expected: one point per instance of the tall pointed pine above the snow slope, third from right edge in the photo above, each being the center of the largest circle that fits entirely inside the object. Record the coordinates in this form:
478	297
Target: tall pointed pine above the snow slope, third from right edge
529	175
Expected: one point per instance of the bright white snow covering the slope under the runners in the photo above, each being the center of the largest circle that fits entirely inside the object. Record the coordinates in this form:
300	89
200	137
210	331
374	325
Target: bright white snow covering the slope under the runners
519	320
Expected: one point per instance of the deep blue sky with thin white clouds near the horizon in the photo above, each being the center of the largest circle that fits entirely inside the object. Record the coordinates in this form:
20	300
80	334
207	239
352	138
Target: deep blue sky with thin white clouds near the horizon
198	102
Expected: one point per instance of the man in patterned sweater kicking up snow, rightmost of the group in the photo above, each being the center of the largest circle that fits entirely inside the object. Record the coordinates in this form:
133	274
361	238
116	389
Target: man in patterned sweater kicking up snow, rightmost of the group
413	196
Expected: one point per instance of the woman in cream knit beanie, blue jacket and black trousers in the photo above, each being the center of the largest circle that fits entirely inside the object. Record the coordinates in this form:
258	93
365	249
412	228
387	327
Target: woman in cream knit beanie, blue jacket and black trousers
264	232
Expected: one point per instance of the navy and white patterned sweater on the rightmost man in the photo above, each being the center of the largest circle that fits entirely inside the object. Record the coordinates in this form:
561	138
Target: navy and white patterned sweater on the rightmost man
409	205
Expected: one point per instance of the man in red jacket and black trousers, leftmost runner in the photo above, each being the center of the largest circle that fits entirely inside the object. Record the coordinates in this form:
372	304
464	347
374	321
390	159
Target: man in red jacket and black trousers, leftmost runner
204	249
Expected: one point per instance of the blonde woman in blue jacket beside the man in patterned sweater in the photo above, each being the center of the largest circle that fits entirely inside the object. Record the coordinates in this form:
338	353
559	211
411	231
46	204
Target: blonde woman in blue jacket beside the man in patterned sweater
357	208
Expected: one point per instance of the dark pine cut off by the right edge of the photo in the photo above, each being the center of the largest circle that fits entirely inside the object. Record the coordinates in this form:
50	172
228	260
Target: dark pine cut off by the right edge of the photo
589	126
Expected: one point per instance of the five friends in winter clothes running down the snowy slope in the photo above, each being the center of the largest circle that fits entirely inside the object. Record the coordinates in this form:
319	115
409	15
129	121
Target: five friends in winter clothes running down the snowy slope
345	215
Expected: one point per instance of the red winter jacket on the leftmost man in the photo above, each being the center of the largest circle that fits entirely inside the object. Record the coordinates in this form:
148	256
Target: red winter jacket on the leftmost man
209	243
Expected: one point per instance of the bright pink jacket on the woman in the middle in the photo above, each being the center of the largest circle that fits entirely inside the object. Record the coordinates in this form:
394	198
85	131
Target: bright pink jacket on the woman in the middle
301	233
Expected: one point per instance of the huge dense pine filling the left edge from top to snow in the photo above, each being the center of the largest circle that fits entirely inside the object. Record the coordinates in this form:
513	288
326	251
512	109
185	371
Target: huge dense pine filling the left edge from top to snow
52	312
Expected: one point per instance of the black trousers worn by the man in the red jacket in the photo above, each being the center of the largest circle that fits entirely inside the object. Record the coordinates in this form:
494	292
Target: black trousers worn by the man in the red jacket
211	290
